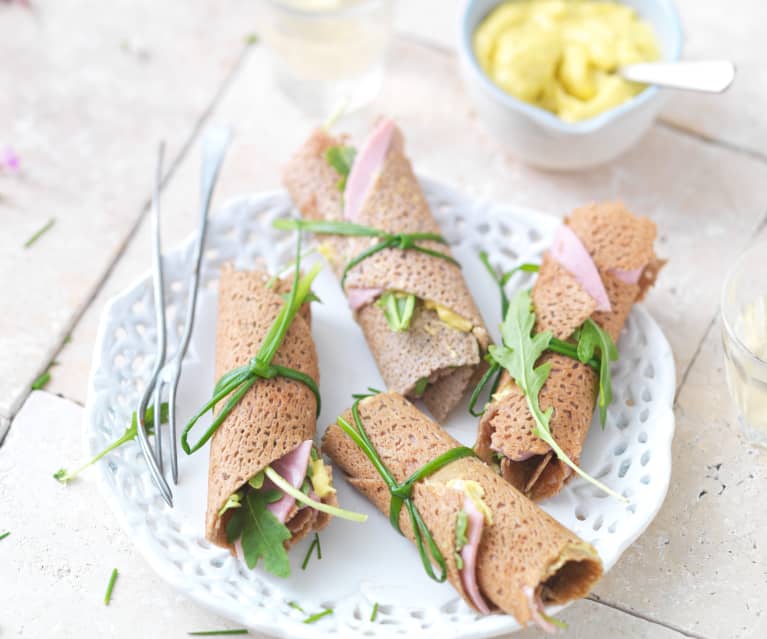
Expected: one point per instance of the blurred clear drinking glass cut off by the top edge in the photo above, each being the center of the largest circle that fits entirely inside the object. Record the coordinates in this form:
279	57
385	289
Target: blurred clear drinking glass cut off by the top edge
327	54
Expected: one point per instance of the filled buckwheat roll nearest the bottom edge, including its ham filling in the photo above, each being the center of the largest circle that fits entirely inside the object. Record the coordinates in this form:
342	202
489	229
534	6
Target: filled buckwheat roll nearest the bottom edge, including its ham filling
498	549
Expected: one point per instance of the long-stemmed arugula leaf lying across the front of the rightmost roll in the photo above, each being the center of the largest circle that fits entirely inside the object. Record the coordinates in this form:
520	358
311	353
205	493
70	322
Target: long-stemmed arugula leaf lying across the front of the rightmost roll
518	355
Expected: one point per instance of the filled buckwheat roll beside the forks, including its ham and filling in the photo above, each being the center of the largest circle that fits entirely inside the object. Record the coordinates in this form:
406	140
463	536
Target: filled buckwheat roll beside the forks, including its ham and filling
272	426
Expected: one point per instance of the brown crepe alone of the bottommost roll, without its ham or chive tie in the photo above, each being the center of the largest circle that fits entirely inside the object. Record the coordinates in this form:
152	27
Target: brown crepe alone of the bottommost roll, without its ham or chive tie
523	547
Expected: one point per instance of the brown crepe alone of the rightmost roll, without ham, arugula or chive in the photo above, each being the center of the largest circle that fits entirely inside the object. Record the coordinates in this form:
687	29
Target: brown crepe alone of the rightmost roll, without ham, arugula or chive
618	242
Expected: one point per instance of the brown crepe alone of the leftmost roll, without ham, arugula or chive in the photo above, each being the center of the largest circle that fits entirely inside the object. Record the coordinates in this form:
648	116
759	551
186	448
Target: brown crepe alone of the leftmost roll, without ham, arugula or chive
275	415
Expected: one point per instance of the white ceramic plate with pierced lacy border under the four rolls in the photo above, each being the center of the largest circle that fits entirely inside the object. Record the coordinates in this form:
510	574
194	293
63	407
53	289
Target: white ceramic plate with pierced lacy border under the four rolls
361	563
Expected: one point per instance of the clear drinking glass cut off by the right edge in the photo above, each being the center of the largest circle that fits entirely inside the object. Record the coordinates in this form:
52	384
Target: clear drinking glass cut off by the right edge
744	335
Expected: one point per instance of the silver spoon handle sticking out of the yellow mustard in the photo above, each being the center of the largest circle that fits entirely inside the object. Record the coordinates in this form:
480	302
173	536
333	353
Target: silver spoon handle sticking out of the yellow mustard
710	76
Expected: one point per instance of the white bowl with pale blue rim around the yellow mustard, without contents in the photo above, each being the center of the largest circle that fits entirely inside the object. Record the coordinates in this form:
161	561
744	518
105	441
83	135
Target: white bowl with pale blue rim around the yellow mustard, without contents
540	138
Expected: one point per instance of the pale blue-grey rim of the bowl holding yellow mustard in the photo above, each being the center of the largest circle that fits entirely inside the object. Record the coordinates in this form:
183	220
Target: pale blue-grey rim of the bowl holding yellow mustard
546	118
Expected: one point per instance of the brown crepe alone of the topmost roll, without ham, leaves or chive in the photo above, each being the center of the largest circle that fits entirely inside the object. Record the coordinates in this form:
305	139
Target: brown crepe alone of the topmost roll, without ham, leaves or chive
449	358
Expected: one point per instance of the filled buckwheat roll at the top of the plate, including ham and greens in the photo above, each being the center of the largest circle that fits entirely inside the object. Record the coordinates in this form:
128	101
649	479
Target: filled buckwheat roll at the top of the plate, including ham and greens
410	299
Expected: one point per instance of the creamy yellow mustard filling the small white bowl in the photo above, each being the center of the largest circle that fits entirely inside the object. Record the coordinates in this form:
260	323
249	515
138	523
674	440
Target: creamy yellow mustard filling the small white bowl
562	55
